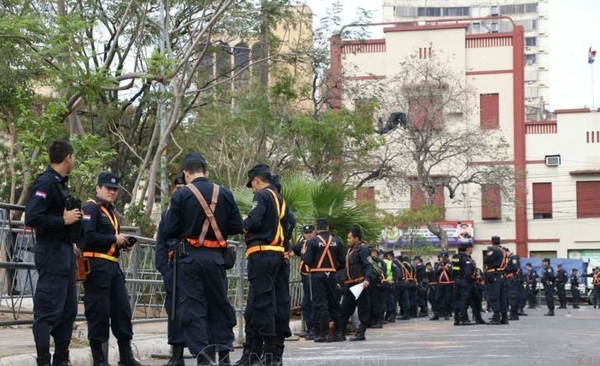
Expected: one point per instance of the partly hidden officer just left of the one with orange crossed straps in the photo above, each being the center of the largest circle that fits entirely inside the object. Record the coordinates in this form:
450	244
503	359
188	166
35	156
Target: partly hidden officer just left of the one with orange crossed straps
308	231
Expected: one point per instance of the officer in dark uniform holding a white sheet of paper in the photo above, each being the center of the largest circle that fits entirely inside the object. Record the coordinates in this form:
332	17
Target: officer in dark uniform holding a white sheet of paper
358	270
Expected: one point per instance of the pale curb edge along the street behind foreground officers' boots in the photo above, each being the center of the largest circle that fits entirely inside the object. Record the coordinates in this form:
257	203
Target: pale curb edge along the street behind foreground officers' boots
142	350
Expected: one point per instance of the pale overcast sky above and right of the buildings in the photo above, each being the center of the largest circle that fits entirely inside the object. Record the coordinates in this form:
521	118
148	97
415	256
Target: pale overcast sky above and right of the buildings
574	27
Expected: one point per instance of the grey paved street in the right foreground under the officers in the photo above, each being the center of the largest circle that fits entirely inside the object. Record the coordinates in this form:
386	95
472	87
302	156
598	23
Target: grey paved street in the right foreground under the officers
570	338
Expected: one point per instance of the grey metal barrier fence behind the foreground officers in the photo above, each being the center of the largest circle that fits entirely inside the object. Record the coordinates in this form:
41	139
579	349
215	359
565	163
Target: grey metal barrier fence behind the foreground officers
18	276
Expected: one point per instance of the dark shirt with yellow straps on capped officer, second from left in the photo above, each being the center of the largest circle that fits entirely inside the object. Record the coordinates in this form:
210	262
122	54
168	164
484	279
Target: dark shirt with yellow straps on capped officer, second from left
99	232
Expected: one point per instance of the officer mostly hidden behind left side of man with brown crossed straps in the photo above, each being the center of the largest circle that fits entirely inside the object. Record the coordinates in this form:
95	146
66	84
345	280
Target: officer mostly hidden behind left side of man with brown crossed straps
163	252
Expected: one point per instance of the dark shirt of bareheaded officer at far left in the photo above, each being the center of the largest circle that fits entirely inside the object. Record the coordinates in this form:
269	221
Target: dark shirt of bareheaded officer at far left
46	204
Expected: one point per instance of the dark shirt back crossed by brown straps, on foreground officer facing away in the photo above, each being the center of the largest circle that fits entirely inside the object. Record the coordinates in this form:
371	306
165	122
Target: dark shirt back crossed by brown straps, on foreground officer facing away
185	216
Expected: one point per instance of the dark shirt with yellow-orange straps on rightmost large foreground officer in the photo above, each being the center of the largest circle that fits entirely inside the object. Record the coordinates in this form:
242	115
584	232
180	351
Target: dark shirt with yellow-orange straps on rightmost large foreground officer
262	221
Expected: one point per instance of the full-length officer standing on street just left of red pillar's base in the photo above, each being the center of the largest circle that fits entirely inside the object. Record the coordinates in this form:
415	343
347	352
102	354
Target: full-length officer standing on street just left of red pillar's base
495	262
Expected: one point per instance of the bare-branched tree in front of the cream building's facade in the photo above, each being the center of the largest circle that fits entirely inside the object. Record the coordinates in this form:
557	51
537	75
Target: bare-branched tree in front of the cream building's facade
444	146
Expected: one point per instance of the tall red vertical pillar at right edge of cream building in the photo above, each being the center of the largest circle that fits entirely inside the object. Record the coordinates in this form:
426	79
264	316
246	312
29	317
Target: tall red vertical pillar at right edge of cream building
521	234
